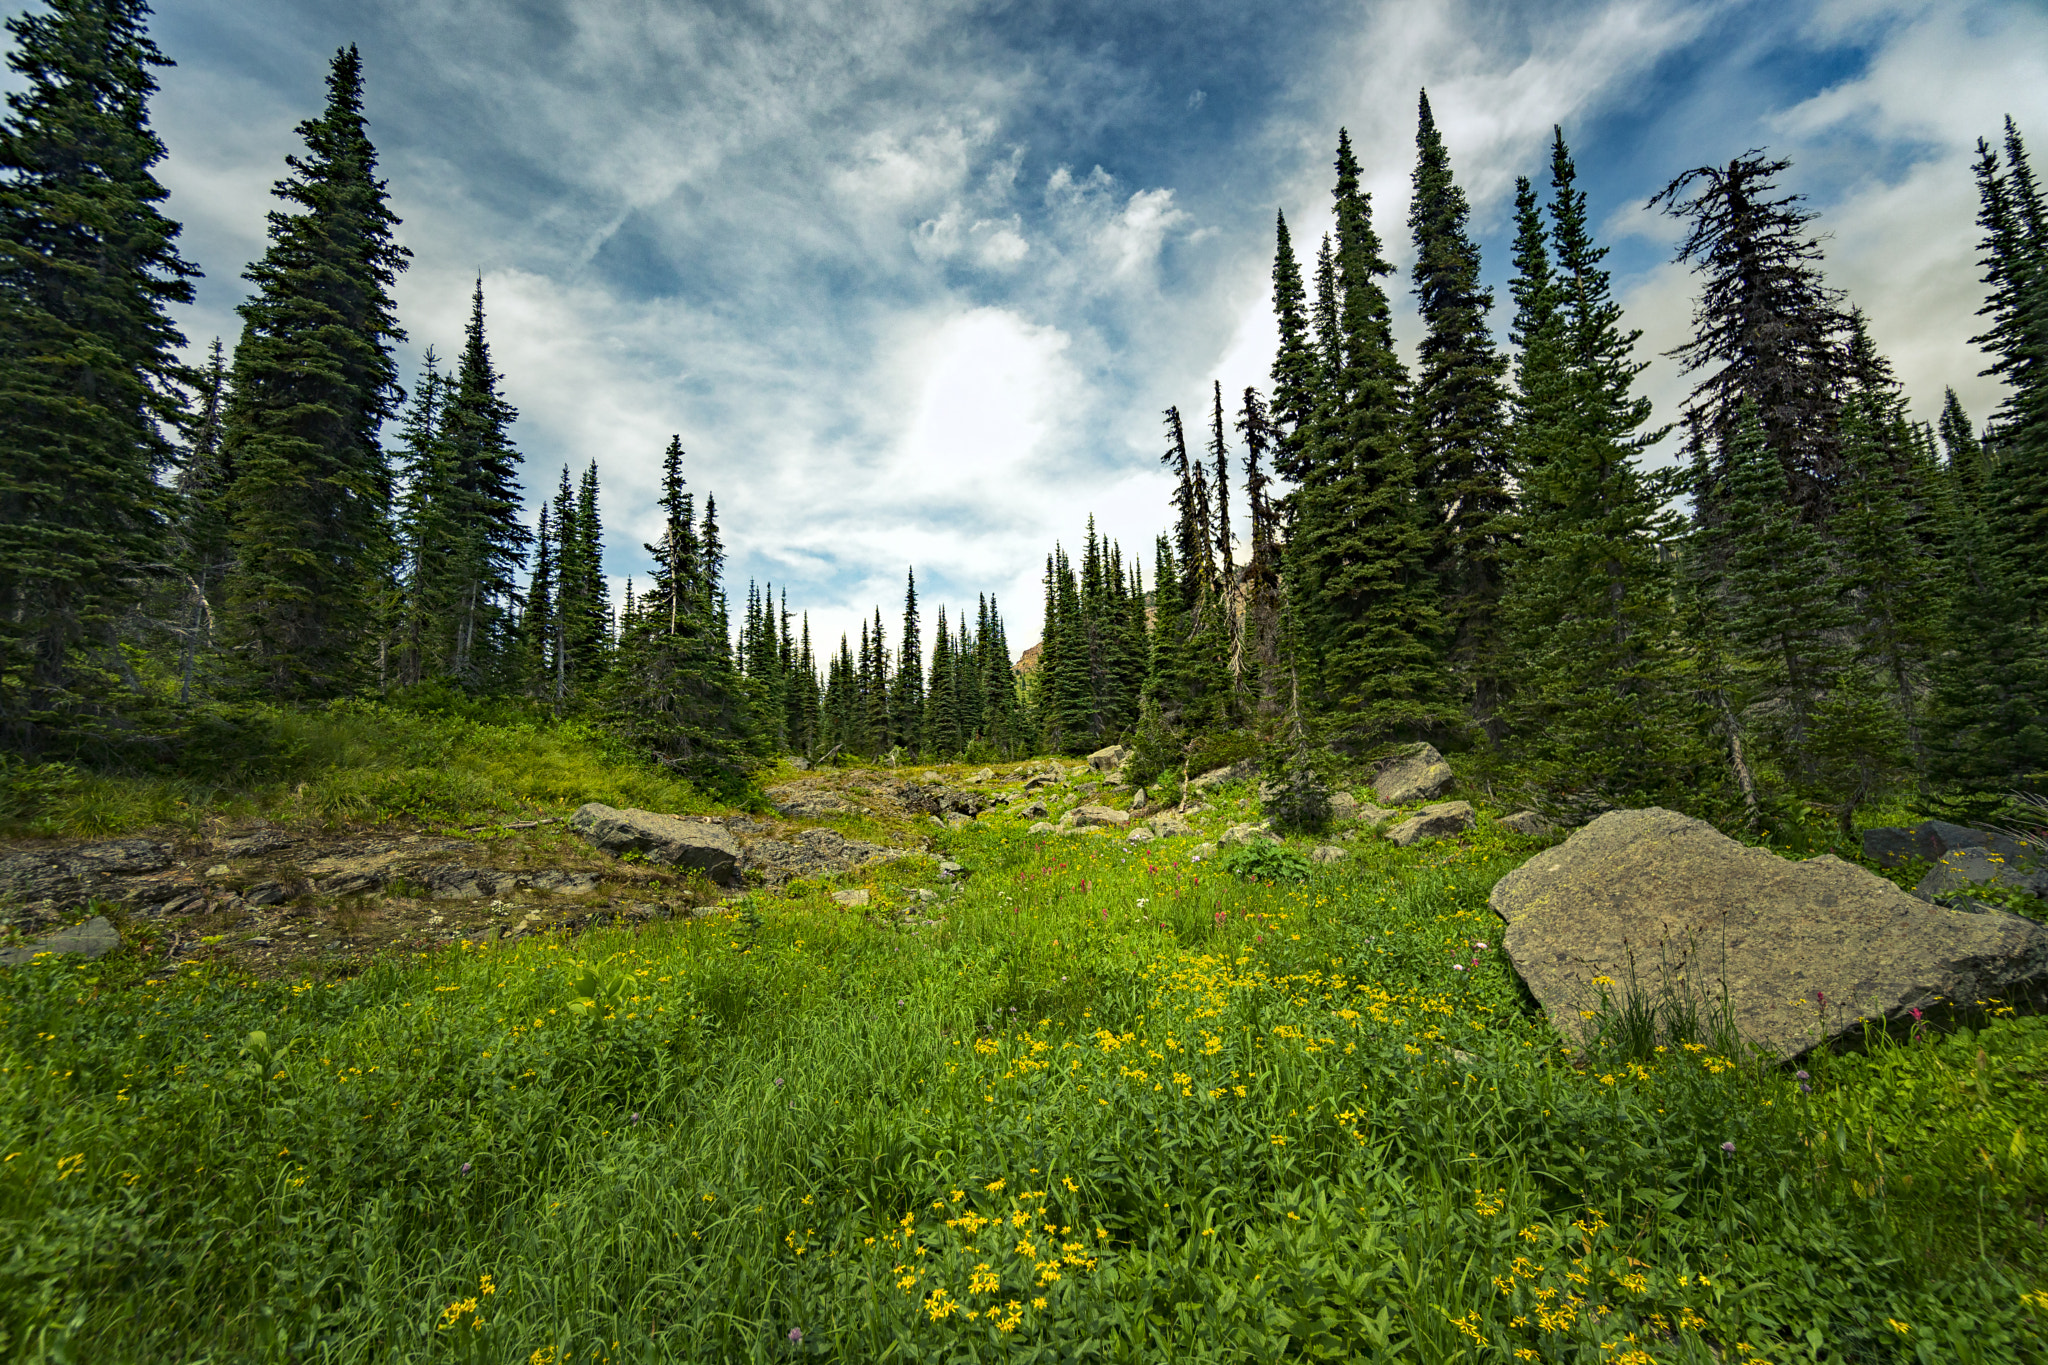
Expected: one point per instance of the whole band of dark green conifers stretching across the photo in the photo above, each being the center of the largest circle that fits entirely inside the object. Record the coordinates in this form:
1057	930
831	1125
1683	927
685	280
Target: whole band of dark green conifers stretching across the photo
1824	601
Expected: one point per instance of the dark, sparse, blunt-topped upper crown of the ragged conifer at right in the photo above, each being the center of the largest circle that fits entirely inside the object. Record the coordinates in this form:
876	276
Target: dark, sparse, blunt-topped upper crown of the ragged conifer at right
1766	324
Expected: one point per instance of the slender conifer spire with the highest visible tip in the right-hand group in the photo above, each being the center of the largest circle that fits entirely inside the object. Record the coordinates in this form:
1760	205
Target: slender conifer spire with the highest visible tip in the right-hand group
1459	421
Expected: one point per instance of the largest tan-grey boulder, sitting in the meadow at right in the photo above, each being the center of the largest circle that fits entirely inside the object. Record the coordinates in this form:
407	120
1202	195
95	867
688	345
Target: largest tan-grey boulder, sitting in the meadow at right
1682	897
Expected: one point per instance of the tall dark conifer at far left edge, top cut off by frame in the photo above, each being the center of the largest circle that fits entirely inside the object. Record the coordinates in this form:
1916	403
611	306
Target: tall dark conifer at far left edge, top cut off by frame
89	378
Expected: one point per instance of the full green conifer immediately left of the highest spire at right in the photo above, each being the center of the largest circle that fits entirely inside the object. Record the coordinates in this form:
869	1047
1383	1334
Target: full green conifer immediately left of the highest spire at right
1357	547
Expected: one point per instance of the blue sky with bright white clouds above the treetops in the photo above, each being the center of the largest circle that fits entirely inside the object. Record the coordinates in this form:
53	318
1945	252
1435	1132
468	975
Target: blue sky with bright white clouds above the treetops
916	279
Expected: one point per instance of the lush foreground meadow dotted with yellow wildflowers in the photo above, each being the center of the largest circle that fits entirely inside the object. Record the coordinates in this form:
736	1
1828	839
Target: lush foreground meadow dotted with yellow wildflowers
1115	1106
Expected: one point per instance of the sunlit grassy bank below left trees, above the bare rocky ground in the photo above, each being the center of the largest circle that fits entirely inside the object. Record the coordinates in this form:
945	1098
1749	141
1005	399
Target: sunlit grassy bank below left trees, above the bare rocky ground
347	764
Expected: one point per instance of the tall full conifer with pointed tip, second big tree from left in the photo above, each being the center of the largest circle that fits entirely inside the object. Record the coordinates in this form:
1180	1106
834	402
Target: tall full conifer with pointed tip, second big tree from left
312	386
